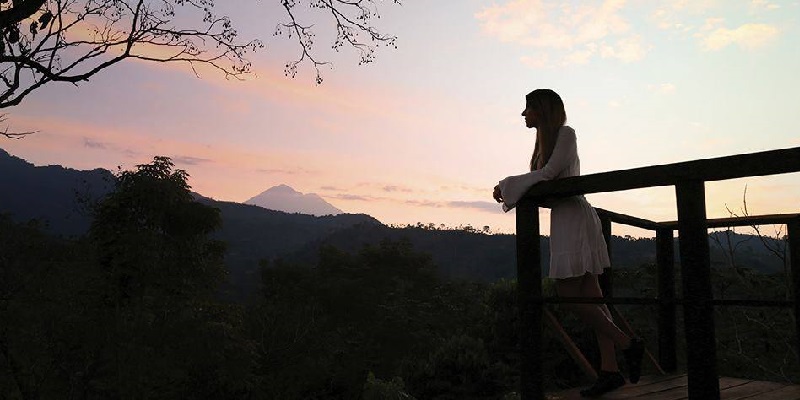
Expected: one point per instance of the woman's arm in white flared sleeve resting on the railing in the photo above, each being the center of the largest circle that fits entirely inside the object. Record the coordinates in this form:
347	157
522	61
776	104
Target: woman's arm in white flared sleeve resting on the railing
565	151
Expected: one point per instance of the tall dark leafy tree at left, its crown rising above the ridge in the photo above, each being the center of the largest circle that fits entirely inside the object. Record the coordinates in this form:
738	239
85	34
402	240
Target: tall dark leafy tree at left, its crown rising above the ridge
166	333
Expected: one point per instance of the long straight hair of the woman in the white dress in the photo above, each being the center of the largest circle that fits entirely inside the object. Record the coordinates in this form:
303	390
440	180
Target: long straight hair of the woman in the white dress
550	115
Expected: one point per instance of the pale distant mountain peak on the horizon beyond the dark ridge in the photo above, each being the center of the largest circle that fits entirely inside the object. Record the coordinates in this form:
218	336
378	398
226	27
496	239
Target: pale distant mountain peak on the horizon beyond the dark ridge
284	198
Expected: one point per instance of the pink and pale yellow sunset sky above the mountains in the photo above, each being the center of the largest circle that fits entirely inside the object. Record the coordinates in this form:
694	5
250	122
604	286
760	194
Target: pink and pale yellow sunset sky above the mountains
425	132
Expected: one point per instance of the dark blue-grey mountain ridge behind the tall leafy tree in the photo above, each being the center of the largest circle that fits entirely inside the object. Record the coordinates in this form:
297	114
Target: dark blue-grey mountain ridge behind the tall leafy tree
59	197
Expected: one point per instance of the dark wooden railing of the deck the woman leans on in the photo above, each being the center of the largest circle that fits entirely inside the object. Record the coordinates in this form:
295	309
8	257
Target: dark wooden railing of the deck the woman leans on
689	179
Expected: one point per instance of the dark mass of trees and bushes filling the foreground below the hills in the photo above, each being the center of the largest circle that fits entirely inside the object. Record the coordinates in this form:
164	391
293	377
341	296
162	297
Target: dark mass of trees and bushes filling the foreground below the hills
132	310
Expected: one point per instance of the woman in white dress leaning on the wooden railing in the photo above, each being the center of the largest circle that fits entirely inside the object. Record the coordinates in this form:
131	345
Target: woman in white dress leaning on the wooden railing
577	249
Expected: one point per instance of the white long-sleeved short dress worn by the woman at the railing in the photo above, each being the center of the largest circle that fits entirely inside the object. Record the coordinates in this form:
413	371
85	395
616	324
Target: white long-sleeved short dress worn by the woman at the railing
576	236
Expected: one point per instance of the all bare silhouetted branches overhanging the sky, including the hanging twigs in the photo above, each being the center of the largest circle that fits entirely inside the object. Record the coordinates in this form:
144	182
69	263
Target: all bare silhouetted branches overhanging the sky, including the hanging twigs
43	41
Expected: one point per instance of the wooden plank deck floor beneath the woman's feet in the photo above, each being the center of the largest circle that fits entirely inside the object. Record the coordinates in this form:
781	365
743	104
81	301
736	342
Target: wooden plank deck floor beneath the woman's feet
673	387
